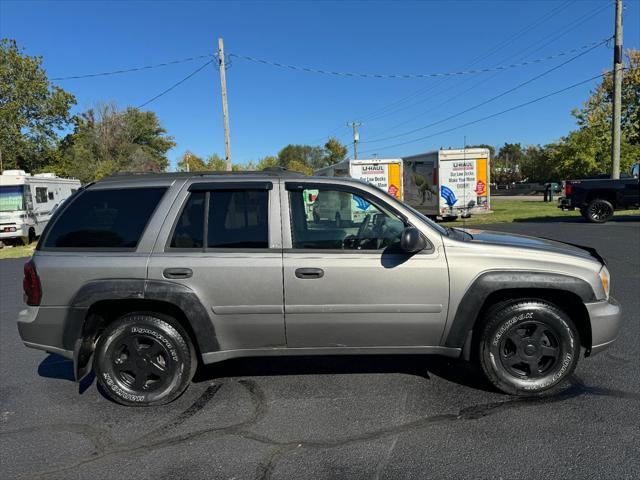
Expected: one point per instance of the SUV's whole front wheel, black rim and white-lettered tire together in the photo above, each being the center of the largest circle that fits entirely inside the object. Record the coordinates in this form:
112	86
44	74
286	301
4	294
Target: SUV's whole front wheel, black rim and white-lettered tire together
528	347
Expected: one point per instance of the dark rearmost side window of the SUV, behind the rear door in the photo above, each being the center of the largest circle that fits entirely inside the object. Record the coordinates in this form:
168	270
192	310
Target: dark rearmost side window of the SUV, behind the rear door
105	218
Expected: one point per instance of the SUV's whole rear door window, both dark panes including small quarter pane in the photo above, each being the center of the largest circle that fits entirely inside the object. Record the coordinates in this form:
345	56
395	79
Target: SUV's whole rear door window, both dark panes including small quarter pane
237	219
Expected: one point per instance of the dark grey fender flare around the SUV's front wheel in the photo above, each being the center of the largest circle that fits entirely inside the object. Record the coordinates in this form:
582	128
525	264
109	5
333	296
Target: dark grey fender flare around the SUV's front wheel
566	292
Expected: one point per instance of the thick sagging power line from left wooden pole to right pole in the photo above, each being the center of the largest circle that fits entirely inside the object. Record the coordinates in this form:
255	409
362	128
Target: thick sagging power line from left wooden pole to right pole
410	75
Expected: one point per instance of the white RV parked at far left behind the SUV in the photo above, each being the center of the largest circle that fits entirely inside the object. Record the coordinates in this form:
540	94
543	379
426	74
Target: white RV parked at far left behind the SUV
28	201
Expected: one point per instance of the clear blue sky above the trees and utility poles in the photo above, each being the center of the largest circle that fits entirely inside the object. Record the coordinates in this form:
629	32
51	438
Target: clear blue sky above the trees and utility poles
272	107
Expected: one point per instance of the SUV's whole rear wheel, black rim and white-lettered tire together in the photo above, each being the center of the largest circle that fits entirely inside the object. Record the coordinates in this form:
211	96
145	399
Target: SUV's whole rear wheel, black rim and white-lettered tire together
144	359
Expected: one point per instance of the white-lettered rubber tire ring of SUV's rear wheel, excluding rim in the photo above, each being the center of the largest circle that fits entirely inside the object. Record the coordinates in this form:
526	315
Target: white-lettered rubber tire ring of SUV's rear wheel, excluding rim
180	359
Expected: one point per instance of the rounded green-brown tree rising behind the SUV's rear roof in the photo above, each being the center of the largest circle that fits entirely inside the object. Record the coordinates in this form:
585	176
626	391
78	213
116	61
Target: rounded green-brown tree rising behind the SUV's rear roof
106	140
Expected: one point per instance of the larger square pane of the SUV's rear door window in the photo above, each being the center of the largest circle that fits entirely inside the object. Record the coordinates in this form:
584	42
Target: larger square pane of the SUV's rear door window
238	219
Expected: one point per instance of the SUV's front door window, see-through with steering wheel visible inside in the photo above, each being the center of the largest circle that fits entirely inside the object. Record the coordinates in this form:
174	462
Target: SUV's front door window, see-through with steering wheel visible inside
339	220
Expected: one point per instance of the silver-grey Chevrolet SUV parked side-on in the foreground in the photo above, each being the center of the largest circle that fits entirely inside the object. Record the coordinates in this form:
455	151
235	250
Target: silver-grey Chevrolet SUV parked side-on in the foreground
143	277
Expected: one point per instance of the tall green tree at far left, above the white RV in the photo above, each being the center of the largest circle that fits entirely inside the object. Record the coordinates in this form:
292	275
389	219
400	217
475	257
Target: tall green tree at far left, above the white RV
32	110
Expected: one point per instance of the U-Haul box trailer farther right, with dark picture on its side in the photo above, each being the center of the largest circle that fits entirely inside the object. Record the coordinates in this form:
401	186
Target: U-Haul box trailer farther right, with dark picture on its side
448	183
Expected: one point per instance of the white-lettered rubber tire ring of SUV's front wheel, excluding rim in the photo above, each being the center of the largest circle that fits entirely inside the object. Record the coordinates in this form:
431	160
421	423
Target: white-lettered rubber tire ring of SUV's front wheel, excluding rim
503	320
